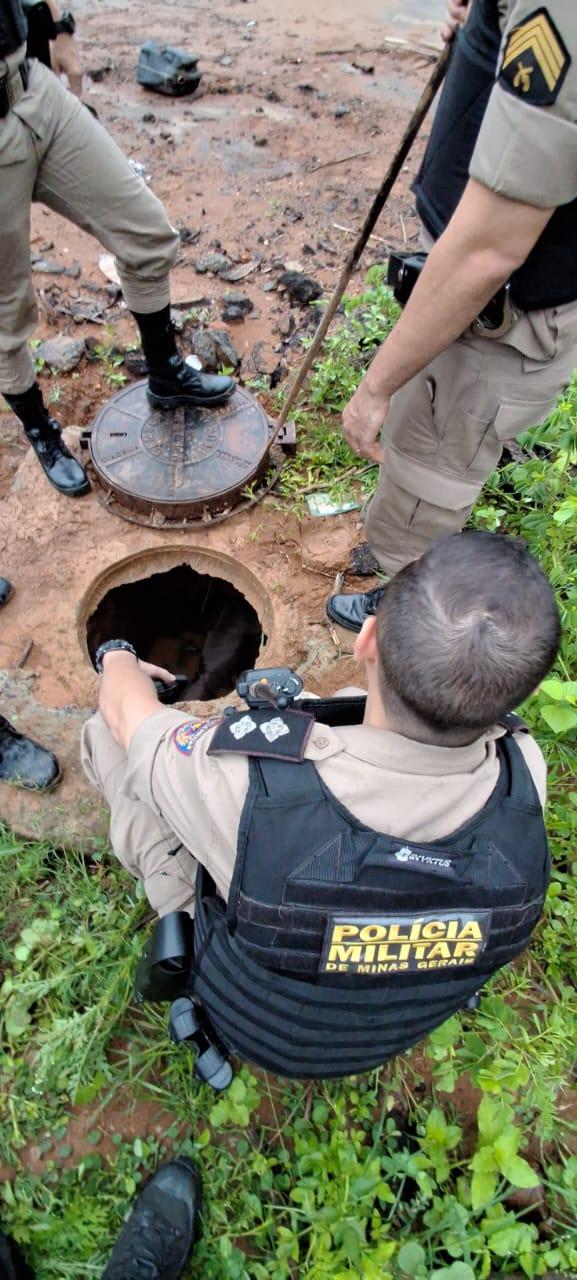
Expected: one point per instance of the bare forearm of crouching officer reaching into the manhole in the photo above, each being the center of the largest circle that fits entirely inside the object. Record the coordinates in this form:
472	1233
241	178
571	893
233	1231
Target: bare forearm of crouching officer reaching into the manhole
127	696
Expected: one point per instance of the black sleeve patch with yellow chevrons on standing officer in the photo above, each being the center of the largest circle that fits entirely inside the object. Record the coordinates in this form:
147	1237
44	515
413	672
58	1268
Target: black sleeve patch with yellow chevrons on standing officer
535	61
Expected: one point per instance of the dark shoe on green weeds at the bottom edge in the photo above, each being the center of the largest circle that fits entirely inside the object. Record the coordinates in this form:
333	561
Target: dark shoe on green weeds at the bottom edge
158	1237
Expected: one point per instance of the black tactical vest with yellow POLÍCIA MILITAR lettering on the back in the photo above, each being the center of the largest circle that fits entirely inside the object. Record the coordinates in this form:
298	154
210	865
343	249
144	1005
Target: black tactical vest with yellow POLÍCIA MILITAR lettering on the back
340	947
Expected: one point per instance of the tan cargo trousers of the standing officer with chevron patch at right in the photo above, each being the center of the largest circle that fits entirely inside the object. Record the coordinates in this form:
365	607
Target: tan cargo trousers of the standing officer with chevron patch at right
446	429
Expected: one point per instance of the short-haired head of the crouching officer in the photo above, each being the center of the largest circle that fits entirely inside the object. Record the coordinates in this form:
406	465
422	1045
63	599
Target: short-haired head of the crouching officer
466	633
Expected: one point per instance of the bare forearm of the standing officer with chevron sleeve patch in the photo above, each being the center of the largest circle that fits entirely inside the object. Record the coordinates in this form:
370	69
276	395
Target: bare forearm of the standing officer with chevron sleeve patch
484	244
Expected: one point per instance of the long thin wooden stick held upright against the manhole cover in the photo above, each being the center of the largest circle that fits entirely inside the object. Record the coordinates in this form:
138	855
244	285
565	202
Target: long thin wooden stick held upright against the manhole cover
367	230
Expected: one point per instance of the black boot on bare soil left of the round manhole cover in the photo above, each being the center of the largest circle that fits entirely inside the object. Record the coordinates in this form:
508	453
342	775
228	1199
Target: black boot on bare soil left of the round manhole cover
45	437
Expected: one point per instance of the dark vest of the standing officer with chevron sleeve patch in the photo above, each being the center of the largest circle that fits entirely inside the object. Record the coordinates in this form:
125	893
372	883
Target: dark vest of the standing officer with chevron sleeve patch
549	276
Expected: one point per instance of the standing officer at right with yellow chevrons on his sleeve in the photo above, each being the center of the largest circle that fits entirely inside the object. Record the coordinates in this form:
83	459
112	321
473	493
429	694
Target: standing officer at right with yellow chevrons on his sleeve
497	195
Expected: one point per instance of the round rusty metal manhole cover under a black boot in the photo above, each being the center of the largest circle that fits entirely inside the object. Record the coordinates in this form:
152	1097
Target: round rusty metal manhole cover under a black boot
177	467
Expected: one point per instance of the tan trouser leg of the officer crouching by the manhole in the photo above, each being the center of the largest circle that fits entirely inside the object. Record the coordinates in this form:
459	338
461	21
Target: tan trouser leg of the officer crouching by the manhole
143	842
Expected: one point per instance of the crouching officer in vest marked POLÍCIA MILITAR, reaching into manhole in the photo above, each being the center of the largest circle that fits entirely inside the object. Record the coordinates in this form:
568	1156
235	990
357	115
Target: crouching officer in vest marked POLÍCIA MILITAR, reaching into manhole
356	875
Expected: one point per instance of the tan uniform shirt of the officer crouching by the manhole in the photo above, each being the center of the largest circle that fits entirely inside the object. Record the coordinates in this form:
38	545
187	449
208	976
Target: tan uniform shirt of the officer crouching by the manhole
390	783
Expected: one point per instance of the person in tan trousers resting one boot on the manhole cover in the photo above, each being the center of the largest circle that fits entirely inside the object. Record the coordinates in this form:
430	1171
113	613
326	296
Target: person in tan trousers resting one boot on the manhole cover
54	152
